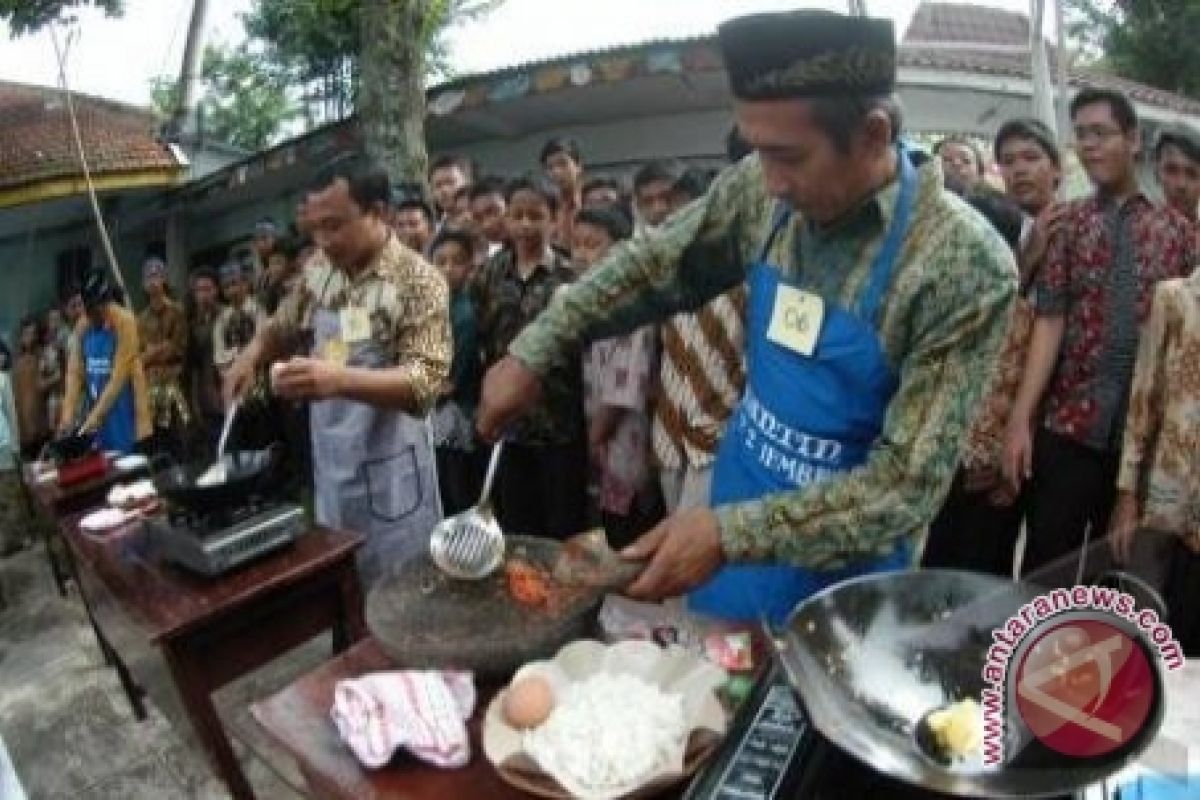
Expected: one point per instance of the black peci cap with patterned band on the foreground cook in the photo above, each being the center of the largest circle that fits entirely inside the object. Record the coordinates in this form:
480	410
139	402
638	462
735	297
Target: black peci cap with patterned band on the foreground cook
808	55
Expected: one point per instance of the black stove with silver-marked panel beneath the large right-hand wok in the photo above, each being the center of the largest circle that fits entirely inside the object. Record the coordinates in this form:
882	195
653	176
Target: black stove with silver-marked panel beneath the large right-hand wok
772	753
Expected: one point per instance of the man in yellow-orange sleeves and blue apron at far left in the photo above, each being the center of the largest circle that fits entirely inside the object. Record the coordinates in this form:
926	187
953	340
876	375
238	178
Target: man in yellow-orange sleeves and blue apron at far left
106	368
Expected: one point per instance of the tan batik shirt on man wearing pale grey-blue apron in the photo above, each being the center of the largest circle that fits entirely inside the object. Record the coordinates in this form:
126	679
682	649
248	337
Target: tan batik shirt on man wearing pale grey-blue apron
409	305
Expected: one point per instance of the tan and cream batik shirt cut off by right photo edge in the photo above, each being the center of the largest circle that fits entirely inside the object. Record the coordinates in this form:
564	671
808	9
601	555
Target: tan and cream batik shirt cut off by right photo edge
1161	458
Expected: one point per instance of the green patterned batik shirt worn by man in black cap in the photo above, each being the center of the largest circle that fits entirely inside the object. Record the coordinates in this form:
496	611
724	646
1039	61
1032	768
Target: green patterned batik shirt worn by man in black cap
943	326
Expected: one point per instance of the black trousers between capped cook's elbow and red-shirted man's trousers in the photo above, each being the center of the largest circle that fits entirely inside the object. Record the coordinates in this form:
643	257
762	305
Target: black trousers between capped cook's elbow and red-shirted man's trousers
973	534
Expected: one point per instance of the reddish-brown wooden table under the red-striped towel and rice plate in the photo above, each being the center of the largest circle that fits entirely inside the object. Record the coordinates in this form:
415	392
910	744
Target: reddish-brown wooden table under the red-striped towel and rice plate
298	720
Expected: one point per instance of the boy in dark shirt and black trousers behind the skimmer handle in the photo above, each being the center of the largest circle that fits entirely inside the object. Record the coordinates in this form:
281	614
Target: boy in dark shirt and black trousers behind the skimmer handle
542	488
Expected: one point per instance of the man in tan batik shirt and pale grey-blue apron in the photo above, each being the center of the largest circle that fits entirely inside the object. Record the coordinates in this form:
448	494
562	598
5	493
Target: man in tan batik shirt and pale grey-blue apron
379	317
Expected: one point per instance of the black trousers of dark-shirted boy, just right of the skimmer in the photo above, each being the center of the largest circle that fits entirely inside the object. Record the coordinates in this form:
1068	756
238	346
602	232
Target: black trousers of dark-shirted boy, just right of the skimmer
542	491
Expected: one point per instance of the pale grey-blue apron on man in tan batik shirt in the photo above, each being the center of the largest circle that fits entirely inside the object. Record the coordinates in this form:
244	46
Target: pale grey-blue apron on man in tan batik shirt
374	468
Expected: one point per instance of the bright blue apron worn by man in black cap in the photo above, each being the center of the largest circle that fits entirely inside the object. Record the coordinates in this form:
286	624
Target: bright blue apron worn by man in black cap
803	419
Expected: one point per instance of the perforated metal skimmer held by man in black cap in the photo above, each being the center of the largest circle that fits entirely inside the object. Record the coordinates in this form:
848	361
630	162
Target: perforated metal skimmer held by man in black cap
471	545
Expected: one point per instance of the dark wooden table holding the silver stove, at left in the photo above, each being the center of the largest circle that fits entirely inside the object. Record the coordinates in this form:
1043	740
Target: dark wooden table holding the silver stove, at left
182	637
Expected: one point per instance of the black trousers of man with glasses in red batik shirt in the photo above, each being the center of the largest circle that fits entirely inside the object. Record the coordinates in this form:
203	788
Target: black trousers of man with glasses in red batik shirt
1073	490
